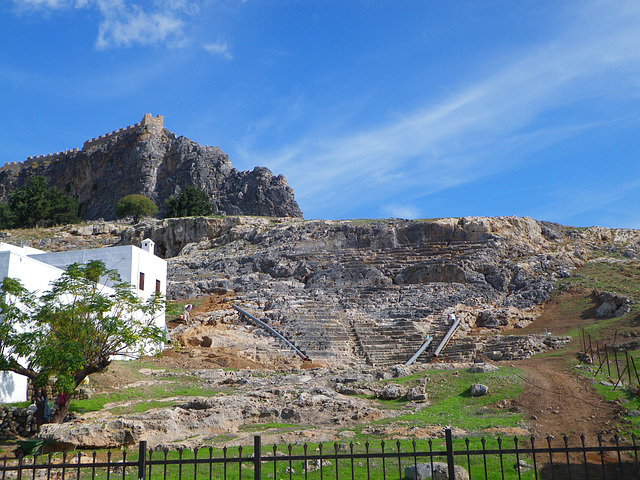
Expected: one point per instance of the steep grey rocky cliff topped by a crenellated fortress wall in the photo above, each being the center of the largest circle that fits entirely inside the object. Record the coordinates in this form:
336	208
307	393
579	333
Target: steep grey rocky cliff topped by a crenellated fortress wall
148	159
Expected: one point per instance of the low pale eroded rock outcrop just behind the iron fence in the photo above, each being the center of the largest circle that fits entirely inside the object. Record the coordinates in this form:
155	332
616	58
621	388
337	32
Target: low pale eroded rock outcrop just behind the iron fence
202	417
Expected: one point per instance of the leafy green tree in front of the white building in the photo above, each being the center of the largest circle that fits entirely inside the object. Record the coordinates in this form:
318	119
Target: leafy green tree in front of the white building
74	329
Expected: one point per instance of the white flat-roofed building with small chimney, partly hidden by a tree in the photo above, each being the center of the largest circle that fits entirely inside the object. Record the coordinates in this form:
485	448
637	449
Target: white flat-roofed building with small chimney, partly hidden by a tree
36	269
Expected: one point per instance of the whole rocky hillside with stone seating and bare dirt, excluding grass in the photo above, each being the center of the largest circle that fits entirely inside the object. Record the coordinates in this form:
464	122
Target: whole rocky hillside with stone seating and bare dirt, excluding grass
359	297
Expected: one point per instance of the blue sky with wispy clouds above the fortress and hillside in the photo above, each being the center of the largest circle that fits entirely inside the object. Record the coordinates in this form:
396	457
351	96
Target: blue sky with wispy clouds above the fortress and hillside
370	109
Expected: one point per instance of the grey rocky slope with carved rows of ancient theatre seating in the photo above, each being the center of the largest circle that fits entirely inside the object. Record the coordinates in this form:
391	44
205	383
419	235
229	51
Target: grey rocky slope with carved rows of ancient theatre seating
371	291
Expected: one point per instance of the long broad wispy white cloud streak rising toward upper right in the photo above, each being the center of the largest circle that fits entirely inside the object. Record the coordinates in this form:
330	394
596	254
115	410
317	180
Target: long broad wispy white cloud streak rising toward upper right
473	133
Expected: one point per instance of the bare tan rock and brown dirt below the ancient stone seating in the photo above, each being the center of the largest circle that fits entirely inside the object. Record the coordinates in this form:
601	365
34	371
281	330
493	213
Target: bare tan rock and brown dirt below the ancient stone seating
325	400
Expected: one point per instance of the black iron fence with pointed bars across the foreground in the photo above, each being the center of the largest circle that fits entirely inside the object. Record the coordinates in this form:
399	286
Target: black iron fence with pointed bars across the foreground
479	458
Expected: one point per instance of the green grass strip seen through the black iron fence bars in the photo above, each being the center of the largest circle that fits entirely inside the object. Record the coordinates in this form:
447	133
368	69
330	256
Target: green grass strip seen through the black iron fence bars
240	460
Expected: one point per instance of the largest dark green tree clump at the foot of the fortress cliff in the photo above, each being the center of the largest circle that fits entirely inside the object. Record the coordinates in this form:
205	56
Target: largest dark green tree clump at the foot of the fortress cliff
37	204
